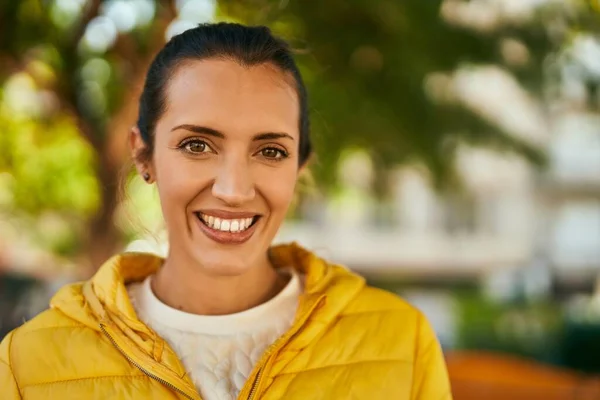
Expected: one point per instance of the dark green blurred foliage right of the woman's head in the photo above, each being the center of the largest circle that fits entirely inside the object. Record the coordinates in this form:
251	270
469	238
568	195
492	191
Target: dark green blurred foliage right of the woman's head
368	62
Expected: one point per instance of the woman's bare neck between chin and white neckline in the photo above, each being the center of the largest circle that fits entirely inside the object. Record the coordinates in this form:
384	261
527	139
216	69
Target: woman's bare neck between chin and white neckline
187	287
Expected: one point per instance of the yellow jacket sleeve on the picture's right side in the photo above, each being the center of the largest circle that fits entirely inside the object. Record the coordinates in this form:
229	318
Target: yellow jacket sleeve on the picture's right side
430	379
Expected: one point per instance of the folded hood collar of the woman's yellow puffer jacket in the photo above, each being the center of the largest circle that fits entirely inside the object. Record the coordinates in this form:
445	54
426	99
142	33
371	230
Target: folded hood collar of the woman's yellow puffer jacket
102	303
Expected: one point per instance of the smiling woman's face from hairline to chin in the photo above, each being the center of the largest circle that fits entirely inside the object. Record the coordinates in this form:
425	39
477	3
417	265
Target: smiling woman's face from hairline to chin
226	162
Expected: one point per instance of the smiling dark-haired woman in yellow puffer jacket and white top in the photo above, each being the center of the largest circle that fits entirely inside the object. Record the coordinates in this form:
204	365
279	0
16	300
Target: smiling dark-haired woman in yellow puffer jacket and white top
223	133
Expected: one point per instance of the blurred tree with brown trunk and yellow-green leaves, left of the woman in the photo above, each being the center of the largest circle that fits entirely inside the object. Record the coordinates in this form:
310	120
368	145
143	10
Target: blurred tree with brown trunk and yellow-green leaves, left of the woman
84	73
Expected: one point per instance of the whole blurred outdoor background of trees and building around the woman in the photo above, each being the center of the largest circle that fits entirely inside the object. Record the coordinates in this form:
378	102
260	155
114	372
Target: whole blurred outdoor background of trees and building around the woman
458	163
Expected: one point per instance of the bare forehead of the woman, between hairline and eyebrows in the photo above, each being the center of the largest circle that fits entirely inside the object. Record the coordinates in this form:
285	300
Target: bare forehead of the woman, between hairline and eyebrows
227	96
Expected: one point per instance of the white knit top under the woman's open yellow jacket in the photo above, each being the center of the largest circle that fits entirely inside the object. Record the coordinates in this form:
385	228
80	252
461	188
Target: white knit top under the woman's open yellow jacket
218	352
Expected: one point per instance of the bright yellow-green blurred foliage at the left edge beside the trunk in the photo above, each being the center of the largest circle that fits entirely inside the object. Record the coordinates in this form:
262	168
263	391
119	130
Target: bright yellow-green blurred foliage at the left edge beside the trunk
50	166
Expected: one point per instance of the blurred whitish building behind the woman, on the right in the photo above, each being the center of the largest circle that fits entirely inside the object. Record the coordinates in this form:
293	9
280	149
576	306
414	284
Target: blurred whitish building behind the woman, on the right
509	216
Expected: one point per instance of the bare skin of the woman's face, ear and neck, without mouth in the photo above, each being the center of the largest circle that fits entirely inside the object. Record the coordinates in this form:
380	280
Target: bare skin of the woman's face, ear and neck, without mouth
194	170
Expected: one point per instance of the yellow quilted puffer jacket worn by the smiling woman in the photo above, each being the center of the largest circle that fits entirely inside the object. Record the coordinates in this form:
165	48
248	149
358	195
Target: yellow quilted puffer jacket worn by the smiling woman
349	341
